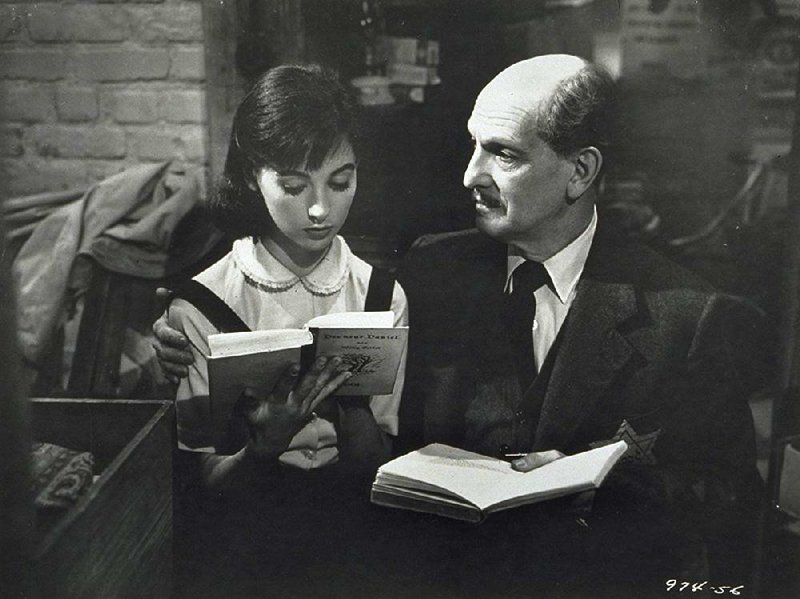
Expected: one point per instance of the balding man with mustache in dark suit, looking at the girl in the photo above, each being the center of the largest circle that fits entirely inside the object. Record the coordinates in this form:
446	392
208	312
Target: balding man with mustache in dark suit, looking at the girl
536	335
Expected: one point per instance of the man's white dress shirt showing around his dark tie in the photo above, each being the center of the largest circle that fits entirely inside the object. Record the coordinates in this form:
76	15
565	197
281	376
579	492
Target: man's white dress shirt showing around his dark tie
552	305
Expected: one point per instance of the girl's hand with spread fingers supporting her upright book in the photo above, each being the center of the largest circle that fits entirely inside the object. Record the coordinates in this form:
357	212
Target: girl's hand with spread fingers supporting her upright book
273	421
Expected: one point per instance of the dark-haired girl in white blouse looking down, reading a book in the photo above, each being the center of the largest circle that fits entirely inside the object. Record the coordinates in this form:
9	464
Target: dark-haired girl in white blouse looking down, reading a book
289	181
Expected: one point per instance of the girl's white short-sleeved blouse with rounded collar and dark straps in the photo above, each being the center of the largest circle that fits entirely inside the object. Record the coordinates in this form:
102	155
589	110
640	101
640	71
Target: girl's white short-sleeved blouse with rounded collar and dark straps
267	295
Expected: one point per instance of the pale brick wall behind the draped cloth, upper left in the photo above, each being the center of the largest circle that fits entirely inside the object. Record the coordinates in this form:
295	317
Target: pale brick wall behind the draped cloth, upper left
88	88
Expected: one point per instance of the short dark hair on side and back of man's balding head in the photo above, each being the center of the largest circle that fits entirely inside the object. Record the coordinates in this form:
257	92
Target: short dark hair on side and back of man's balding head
579	113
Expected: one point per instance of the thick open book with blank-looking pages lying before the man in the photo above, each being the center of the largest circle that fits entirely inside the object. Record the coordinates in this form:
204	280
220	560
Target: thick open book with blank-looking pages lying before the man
468	486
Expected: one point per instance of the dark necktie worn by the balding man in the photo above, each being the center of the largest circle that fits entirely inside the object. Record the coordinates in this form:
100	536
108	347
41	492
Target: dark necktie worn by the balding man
526	278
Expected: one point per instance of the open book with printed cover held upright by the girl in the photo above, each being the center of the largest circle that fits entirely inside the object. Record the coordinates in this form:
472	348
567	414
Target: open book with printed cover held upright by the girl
369	344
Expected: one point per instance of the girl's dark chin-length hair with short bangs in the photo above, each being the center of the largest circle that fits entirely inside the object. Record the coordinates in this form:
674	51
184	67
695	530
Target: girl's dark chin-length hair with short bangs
292	117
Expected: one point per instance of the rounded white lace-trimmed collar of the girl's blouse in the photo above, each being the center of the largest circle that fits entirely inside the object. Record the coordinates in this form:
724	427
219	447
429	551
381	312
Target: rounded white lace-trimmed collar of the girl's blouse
261	269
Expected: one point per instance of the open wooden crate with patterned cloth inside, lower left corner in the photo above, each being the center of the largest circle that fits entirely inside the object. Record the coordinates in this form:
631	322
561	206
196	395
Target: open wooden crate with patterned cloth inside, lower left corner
116	541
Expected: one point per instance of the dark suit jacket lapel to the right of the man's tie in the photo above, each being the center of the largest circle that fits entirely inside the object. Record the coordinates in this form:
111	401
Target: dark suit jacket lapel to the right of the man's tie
592	353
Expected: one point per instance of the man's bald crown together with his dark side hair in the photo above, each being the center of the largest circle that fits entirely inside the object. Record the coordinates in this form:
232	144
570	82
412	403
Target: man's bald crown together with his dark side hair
568	100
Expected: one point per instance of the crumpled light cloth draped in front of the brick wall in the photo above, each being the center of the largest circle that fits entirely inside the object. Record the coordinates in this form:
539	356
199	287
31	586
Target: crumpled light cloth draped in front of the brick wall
142	222
